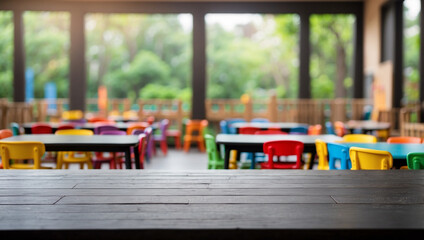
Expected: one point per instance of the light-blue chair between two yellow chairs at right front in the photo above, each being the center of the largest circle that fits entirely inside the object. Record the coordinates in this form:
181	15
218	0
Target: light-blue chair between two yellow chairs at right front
339	152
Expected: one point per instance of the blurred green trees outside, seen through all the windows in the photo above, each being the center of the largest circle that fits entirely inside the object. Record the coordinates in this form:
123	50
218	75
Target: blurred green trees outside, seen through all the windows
150	55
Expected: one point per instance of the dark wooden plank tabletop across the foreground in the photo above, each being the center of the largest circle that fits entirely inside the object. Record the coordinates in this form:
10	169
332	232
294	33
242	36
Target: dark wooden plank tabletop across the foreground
214	204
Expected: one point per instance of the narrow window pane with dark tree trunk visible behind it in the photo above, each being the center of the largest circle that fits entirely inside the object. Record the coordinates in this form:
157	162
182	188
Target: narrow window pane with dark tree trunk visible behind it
331	66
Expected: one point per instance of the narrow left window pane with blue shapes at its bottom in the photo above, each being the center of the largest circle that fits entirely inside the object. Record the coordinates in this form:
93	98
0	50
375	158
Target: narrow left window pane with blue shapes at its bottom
47	53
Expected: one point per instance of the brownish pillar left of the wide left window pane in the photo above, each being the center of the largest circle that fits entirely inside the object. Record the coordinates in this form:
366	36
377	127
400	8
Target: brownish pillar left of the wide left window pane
77	80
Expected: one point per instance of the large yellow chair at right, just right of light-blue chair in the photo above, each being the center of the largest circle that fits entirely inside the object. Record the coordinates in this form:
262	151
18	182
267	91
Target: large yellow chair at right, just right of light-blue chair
370	159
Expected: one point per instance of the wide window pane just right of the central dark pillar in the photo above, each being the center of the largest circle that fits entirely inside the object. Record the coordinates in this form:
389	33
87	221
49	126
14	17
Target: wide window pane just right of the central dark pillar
252	53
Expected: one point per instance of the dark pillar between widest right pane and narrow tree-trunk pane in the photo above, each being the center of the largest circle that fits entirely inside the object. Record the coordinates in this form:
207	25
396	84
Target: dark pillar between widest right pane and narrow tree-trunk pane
304	75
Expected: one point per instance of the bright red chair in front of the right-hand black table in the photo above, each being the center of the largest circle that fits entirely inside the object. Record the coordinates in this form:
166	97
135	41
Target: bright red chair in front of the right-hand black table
282	148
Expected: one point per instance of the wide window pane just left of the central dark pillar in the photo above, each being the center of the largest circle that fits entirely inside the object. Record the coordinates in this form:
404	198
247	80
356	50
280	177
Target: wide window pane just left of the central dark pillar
139	55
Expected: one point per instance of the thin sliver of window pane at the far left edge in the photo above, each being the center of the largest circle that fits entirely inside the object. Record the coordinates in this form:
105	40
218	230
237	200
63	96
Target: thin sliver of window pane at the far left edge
6	53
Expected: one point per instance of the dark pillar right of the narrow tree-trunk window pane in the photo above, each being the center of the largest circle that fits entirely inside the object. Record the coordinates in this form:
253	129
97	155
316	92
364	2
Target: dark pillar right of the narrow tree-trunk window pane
358	83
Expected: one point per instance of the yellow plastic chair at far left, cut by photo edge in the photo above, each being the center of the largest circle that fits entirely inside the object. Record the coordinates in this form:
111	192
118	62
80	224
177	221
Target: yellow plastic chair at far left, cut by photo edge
19	151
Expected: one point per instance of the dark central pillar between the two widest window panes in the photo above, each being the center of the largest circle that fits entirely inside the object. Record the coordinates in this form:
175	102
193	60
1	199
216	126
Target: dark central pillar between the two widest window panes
198	110
